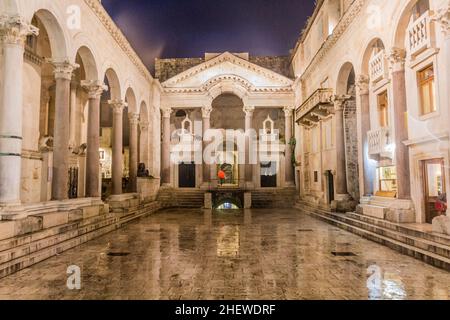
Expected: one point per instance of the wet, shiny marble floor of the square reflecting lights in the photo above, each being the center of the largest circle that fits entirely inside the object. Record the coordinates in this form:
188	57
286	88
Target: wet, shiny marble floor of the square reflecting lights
257	254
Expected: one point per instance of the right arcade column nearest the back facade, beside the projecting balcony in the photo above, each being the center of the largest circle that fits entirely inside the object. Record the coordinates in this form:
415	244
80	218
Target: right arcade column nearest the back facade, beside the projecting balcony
341	168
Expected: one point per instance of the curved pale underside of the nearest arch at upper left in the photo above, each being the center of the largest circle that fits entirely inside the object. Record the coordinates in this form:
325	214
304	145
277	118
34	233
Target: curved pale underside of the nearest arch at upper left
56	35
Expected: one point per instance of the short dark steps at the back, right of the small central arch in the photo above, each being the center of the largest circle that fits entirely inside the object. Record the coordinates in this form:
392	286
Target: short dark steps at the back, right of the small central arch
271	198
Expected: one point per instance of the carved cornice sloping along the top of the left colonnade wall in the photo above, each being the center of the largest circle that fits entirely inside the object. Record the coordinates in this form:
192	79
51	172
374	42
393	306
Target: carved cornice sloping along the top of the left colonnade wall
119	37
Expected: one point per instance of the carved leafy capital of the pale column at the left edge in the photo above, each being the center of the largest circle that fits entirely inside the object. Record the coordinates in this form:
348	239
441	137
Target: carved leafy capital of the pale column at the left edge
14	30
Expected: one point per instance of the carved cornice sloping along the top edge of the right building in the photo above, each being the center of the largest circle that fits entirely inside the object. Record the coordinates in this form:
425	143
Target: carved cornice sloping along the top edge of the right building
339	30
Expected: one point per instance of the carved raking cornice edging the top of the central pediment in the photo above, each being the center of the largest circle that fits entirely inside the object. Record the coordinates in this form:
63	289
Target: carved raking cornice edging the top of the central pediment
228	57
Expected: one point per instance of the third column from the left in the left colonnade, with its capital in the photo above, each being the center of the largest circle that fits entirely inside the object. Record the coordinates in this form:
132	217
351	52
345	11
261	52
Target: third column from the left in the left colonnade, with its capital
95	90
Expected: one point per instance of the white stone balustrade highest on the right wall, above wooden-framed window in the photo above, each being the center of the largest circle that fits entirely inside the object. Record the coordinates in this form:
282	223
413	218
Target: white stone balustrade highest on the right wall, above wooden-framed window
420	34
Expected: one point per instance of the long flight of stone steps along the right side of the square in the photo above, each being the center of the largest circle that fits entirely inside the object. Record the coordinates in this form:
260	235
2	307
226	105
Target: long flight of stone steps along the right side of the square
428	247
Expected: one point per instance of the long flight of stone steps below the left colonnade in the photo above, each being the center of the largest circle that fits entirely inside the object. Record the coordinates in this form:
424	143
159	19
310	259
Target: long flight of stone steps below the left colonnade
27	241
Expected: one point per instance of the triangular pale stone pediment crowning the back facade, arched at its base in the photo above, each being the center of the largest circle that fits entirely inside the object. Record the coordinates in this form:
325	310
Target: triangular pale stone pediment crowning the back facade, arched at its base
228	66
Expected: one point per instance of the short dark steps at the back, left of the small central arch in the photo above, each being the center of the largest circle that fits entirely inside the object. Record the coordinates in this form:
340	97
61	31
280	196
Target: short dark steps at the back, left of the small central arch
181	198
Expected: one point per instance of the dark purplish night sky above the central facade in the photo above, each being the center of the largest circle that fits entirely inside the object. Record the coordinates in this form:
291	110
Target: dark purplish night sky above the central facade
189	28
